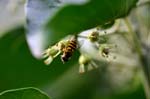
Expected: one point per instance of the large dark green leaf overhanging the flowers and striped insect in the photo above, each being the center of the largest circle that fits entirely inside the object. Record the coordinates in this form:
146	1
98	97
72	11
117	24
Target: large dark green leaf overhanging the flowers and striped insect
73	19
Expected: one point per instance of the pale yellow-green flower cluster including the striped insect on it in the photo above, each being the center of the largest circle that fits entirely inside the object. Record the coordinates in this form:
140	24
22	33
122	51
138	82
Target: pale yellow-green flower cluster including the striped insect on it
68	46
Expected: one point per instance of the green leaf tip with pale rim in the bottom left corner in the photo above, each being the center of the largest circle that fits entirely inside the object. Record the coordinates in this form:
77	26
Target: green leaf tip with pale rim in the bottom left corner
23	93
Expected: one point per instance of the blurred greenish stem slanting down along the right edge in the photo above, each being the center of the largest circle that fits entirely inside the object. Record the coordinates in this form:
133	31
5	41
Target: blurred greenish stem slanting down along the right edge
142	58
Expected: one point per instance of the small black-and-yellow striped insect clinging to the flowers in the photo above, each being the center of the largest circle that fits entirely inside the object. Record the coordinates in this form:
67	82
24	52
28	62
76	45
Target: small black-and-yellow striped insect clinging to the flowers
69	49
